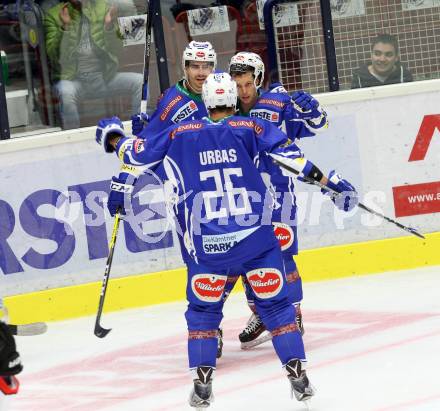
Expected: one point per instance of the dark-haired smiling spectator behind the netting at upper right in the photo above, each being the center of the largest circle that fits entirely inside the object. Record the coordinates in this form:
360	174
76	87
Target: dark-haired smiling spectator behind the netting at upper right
385	67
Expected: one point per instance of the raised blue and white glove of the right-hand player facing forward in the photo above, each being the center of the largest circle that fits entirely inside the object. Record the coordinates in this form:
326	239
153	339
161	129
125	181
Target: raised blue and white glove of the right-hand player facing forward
308	109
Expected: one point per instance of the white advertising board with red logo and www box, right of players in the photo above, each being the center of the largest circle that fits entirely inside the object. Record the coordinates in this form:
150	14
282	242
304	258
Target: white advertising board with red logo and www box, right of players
389	149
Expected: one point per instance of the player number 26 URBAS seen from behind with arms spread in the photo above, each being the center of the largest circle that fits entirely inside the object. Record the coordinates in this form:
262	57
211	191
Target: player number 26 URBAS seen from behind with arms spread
211	164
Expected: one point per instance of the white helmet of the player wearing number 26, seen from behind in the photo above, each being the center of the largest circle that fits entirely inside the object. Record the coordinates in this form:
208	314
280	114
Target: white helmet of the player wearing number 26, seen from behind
219	90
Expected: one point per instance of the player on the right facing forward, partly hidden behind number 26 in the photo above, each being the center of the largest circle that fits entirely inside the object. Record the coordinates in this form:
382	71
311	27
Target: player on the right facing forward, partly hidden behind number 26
298	116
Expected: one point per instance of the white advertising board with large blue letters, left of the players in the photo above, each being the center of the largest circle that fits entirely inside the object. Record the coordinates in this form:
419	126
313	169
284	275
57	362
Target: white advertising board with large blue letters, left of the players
54	230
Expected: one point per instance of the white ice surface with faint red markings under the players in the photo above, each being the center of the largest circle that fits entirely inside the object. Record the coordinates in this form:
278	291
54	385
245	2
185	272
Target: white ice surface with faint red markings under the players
373	344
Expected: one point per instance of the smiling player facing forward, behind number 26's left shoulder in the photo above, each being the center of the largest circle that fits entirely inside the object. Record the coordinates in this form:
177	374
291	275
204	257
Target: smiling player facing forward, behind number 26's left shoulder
182	101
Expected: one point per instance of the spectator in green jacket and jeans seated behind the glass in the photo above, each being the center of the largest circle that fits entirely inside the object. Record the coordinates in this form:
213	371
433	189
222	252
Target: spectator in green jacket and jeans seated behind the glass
82	44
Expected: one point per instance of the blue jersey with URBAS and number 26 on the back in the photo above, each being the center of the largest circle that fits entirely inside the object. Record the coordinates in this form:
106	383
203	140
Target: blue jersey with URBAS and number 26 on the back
224	214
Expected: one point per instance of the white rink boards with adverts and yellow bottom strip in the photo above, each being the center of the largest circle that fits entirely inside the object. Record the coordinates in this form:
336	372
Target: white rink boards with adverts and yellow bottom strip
54	229
